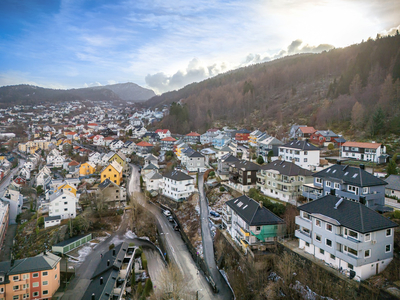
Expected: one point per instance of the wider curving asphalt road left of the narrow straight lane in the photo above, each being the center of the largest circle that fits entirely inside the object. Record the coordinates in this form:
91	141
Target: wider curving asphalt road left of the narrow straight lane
176	248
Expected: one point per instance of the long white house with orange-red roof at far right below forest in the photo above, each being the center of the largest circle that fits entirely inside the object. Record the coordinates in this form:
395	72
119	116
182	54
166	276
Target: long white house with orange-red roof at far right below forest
375	152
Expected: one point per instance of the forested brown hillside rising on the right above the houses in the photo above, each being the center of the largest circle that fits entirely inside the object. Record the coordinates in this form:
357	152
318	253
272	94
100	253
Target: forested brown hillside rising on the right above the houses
355	89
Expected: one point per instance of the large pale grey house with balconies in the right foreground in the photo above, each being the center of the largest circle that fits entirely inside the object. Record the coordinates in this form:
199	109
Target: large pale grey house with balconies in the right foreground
346	235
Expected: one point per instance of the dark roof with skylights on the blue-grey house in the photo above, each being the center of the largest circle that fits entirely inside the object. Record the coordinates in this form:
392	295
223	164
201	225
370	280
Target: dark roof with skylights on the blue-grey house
350	175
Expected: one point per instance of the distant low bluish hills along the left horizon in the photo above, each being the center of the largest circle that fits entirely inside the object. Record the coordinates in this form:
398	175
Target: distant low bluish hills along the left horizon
28	94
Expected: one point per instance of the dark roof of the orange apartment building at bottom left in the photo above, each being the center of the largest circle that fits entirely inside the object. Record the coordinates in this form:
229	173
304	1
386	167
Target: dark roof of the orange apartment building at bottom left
31	264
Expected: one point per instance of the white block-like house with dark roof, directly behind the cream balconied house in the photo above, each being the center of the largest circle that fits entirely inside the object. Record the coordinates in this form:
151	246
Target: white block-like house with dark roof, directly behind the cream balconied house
302	153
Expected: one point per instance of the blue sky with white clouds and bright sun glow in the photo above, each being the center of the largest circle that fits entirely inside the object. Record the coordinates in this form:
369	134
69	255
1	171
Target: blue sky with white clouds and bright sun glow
165	45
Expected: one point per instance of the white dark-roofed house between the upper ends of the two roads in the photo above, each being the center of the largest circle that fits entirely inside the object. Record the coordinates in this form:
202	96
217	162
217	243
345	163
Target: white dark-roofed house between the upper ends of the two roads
177	185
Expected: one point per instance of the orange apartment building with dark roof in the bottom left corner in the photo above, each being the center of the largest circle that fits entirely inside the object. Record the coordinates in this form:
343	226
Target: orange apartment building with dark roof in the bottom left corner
35	277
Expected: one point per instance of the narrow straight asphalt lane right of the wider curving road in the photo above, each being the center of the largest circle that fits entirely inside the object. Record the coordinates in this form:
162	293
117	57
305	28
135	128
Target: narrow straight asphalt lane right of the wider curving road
208	247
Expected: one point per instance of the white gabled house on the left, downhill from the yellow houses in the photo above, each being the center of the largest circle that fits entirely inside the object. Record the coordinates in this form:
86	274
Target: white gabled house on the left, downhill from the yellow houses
63	204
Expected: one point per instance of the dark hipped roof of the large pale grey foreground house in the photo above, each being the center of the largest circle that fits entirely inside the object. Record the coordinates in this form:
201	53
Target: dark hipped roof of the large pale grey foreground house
353	215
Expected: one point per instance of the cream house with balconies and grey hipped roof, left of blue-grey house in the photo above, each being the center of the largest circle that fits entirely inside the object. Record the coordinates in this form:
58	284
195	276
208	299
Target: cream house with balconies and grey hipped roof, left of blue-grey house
283	180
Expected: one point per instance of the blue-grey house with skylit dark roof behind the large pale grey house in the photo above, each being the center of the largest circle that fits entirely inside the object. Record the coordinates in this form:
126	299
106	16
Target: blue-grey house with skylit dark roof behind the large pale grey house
349	183
